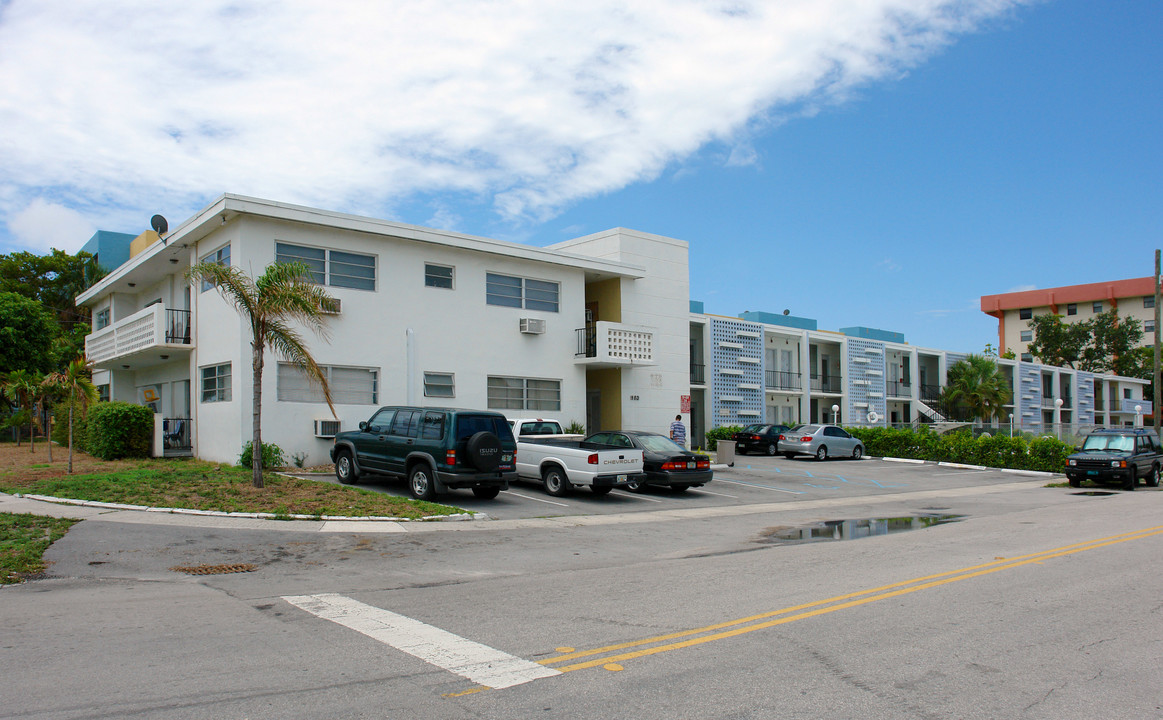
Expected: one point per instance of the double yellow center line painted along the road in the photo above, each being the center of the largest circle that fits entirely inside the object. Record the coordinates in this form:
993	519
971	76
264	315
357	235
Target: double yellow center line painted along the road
622	653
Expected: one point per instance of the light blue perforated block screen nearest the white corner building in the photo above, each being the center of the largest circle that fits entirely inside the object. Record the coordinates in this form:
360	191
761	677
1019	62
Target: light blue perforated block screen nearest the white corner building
737	366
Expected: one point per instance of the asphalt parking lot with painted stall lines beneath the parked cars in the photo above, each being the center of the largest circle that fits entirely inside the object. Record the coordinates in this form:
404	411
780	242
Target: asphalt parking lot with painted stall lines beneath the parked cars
752	481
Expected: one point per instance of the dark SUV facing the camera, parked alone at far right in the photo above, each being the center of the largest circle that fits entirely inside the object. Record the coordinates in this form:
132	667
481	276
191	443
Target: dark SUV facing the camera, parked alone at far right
1117	455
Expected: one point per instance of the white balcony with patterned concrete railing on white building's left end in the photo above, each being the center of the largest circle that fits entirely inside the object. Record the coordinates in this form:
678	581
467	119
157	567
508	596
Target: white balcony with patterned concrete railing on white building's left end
151	337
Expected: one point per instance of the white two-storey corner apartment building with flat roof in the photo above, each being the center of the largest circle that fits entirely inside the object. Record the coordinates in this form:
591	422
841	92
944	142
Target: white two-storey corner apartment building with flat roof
595	330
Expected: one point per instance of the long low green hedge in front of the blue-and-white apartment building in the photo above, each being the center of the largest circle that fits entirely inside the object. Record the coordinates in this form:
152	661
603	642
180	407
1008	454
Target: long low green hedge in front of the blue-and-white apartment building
1043	454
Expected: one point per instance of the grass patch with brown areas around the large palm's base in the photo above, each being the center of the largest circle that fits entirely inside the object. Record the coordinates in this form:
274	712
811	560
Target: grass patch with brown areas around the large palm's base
196	484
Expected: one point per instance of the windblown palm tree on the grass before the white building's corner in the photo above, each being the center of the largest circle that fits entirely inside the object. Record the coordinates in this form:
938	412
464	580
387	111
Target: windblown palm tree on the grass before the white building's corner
286	293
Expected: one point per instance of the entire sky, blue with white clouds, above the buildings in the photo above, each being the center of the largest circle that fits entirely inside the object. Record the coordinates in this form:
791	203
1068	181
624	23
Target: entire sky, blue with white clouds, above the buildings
860	162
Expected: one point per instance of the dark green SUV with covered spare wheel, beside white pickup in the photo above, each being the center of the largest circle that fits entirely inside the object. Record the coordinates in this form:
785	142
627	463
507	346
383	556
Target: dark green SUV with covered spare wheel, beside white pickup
436	448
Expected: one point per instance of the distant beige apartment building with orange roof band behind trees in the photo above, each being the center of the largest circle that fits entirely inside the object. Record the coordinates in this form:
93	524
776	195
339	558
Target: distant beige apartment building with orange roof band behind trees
1133	298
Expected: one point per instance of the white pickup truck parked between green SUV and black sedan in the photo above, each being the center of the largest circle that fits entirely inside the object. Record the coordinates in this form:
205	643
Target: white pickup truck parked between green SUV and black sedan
560	461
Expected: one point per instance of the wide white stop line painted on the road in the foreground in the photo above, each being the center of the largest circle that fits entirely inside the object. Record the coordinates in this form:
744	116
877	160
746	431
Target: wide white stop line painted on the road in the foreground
470	660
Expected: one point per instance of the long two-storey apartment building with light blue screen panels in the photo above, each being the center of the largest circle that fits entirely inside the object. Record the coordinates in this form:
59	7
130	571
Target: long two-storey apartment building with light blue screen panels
777	369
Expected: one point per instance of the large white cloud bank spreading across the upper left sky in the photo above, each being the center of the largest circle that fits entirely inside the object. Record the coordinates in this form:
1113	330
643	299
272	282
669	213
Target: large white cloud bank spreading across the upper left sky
134	106
